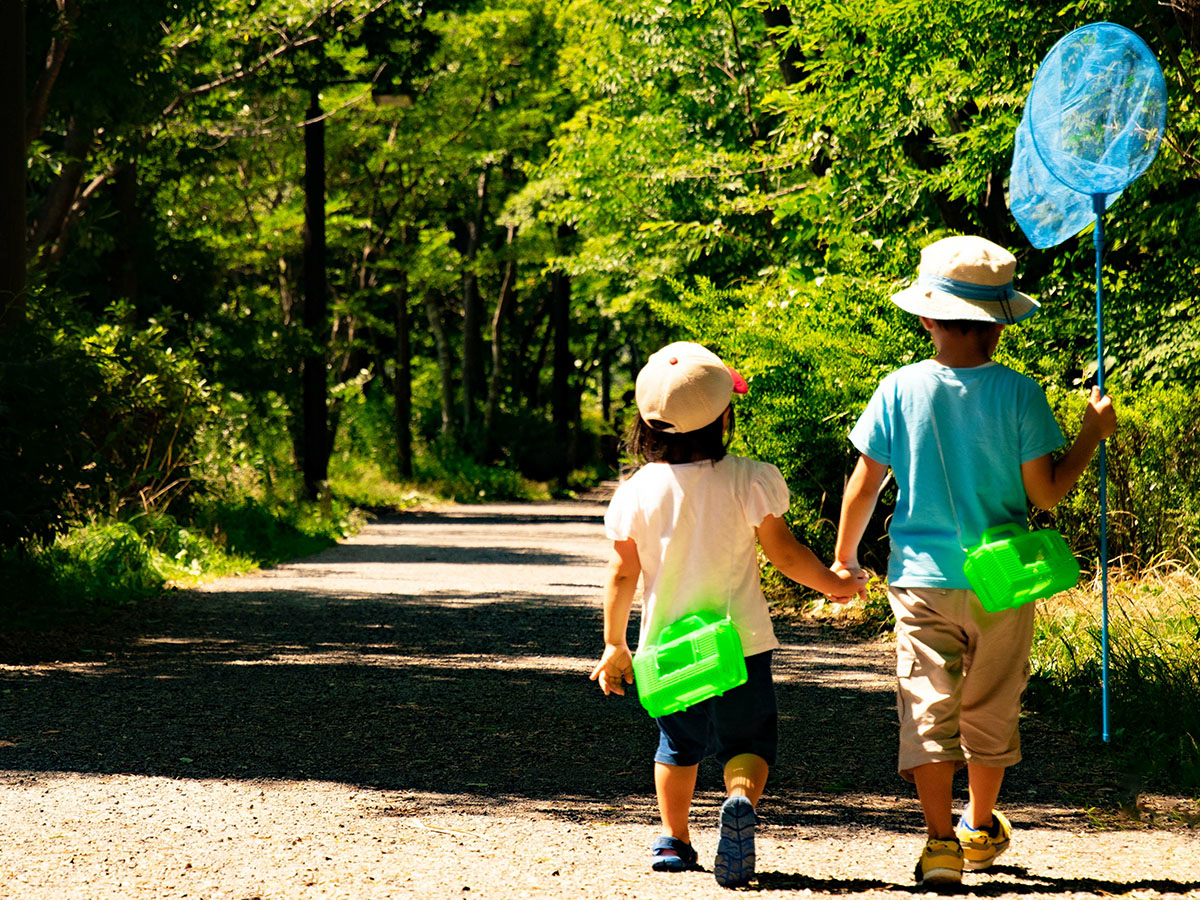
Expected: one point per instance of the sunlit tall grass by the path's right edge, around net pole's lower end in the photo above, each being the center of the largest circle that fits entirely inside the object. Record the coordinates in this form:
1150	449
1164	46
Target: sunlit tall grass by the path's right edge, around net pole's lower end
1154	668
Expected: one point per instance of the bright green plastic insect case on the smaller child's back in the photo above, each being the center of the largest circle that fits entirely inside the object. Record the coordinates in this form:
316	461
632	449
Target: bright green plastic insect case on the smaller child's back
693	659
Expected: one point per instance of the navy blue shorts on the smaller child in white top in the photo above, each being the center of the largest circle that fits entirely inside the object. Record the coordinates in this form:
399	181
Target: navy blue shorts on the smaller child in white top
743	721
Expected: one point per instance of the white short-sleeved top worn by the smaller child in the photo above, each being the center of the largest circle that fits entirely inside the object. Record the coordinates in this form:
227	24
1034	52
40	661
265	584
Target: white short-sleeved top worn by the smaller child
694	529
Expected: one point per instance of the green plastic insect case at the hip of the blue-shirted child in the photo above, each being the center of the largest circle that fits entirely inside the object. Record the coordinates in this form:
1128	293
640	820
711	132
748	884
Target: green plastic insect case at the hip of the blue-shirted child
1012	566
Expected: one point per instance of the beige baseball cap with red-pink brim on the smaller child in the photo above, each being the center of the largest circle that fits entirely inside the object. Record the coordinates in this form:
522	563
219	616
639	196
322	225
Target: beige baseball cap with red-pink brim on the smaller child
687	387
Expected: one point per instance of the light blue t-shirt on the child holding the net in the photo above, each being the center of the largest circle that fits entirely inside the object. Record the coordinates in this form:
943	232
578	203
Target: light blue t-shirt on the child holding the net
991	421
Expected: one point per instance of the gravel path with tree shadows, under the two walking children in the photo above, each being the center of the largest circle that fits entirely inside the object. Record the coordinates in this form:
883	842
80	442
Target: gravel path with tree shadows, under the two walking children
409	716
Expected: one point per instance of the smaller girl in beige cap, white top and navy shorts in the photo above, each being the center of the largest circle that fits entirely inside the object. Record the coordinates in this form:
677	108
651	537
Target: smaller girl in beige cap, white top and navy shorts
687	524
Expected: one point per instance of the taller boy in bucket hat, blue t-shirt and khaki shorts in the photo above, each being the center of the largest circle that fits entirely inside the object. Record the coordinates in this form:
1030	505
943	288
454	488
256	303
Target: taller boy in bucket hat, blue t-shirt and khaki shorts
969	442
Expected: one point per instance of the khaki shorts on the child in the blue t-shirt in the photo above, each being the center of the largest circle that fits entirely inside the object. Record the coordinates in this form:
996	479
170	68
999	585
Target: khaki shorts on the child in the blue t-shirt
961	674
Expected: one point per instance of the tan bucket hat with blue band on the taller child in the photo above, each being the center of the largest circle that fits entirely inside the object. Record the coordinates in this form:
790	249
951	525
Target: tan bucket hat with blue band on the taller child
969	279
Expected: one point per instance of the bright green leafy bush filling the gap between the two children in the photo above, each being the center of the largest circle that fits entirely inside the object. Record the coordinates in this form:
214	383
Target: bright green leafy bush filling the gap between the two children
813	353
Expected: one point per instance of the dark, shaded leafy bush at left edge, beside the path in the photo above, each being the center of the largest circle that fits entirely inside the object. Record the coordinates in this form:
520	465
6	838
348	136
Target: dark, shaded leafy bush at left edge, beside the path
94	421
